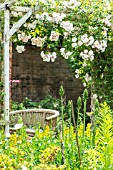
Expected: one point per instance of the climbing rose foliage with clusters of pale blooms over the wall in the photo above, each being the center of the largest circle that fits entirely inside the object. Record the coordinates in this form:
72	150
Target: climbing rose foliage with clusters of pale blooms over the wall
80	31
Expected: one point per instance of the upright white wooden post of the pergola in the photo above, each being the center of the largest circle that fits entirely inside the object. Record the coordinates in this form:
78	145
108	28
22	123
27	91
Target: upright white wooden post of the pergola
6	71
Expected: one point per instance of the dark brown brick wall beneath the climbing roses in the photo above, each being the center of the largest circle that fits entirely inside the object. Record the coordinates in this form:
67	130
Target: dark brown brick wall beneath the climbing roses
39	78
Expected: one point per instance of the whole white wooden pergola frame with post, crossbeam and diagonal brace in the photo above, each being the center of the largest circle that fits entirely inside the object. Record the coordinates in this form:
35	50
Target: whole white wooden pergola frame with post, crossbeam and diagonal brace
8	33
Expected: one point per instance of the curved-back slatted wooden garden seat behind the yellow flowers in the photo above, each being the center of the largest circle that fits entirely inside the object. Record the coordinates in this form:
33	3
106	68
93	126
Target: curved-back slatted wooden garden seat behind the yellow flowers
32	118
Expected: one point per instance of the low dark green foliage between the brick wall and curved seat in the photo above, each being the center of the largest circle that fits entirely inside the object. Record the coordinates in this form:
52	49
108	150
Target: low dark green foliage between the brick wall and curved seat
49	102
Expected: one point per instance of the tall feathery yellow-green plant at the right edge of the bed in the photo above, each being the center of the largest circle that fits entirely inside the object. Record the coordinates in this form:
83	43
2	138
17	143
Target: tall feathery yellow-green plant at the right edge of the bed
105	137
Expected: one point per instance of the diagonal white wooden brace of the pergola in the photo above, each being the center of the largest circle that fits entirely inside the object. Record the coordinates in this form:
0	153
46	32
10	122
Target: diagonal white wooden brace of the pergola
18	24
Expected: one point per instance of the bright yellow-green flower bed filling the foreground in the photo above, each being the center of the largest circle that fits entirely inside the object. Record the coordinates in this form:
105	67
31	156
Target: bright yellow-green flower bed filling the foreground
47	148
